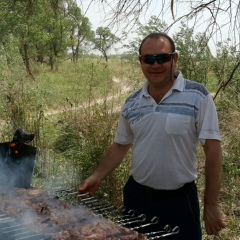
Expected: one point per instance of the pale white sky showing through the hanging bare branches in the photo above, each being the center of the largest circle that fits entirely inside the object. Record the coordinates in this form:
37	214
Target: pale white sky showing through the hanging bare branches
100	16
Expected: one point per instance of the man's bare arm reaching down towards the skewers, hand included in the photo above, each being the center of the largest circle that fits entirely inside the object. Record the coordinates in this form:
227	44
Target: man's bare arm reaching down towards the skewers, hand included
111	160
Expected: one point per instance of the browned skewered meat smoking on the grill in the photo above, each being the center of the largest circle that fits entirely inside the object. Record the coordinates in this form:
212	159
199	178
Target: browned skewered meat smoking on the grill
58	220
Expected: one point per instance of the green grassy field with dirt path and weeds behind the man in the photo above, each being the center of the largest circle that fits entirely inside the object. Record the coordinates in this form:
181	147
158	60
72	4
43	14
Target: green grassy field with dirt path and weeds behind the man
73	113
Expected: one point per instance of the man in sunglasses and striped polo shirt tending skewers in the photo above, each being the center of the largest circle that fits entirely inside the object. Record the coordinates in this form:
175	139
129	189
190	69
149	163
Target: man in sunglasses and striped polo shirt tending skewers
164	122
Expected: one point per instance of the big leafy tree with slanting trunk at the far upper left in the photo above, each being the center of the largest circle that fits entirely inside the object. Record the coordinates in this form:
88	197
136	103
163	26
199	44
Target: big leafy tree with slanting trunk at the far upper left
28	23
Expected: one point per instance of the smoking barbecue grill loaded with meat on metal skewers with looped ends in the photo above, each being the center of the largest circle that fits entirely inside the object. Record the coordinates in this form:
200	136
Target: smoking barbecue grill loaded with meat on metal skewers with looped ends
34	214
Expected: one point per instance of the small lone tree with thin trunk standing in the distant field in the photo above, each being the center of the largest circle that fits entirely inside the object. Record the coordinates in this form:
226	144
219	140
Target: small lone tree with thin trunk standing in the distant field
104	40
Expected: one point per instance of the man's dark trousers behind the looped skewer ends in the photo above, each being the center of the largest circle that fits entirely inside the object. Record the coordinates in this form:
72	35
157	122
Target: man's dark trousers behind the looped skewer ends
172	207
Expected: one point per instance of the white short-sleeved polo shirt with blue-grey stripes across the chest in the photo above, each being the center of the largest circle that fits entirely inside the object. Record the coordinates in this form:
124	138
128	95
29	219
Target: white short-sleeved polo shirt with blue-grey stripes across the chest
165	136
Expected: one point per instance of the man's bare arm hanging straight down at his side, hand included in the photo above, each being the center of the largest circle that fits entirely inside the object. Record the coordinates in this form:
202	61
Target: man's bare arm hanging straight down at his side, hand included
213	174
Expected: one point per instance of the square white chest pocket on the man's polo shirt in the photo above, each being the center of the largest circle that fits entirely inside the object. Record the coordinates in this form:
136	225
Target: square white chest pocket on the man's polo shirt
177	124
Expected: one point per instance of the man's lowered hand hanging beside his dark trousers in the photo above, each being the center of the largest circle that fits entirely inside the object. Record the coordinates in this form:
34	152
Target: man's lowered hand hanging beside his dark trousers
213	219
